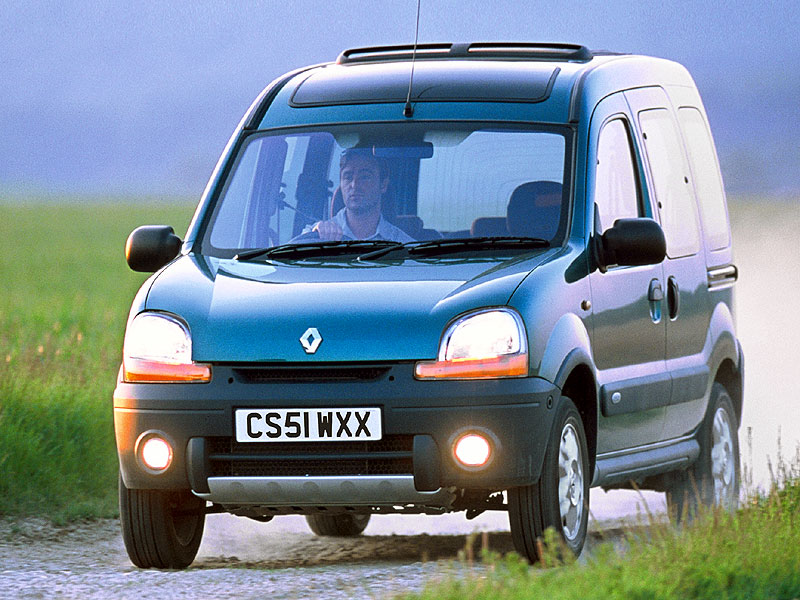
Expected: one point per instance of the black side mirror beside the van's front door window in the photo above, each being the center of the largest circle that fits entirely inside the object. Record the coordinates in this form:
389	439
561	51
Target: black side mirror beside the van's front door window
632	242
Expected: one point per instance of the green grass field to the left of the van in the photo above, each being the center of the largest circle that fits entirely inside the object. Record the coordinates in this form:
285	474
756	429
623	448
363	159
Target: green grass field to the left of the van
65	298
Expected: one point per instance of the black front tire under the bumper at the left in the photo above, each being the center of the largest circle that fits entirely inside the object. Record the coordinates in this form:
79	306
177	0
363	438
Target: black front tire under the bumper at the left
161	529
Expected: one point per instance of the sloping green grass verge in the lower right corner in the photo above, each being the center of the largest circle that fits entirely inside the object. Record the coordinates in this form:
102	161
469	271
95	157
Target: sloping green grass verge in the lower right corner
752	555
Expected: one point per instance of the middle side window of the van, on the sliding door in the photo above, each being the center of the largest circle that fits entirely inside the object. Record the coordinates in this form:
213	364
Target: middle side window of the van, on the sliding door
671	182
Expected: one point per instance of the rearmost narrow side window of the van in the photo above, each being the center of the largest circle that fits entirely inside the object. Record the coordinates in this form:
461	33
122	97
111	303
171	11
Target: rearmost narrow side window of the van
707	179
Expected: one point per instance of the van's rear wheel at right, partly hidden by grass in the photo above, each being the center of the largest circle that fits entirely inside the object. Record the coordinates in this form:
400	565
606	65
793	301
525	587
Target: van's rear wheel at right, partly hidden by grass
713	480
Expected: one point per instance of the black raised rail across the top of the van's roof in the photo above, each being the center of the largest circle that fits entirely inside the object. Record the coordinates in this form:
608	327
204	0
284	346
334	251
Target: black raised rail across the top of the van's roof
504	50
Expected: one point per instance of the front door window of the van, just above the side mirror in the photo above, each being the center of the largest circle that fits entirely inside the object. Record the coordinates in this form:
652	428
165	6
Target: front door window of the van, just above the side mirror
616	190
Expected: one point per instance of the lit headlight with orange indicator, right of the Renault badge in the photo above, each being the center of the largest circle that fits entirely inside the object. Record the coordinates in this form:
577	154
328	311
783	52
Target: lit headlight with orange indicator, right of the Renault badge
487	344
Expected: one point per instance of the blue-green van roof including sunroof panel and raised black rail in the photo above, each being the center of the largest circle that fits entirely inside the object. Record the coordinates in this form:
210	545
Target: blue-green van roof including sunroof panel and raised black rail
568	75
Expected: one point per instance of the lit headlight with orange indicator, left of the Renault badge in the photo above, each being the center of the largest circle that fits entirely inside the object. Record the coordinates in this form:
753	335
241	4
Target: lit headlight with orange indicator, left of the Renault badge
158	348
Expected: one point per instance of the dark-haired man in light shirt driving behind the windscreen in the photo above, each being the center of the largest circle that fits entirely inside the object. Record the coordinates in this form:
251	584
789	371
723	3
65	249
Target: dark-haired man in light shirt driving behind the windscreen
362	182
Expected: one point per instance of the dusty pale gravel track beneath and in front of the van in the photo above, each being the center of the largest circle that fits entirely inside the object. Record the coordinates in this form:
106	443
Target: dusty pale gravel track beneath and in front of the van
240	558
